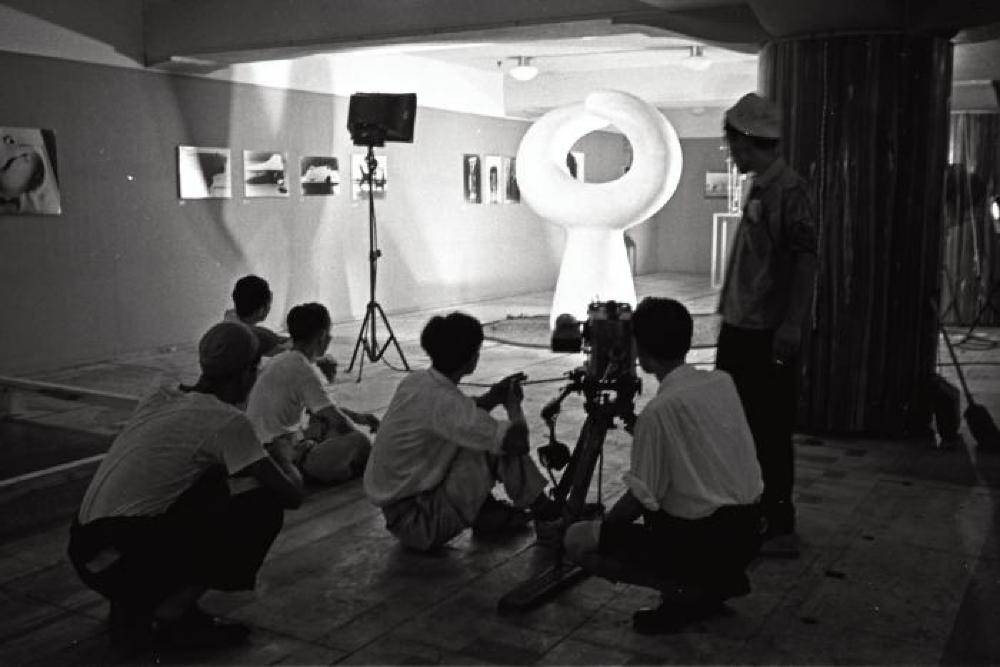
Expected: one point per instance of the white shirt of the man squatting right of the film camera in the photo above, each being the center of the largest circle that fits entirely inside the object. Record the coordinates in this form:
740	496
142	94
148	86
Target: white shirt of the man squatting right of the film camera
692	449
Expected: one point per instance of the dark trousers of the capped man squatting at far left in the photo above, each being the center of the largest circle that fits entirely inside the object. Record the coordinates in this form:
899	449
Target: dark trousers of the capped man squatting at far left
207	538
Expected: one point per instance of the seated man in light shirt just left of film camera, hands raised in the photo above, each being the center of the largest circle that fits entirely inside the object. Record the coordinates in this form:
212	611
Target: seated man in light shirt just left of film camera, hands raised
438	452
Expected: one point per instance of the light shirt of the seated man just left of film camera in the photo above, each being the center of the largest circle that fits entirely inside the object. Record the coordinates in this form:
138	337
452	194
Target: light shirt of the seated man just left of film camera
427	421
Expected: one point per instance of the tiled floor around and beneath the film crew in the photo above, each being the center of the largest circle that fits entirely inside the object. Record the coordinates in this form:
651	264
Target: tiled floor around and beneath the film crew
901	561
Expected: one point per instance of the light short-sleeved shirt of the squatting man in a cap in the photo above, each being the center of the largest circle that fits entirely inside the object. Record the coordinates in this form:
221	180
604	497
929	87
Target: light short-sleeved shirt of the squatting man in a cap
169	441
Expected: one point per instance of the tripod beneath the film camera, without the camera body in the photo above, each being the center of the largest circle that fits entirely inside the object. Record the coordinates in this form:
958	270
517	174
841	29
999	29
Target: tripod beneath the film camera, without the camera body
571	490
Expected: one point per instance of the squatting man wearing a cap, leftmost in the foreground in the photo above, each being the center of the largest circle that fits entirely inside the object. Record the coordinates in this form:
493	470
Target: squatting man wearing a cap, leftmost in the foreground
158	526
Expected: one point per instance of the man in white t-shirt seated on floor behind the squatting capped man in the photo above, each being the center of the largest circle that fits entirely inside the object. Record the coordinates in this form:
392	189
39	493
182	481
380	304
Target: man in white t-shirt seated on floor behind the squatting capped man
330	449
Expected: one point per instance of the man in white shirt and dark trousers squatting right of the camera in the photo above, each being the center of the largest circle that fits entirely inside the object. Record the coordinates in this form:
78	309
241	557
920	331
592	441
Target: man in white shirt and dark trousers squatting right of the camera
693	478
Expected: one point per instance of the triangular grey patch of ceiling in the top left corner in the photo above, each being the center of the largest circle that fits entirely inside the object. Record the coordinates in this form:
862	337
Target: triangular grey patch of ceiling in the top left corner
117	23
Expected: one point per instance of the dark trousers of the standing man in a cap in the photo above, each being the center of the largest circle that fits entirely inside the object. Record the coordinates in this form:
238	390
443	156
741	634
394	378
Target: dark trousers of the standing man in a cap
769	396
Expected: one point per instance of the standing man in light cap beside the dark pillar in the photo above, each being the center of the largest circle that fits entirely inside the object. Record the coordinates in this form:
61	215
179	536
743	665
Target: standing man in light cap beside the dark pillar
765	300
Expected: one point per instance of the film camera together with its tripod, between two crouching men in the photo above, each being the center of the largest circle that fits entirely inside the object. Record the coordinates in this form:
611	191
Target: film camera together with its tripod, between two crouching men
608	382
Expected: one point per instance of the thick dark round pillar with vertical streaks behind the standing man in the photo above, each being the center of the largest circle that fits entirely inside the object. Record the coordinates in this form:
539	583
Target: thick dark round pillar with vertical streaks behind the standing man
866	121
